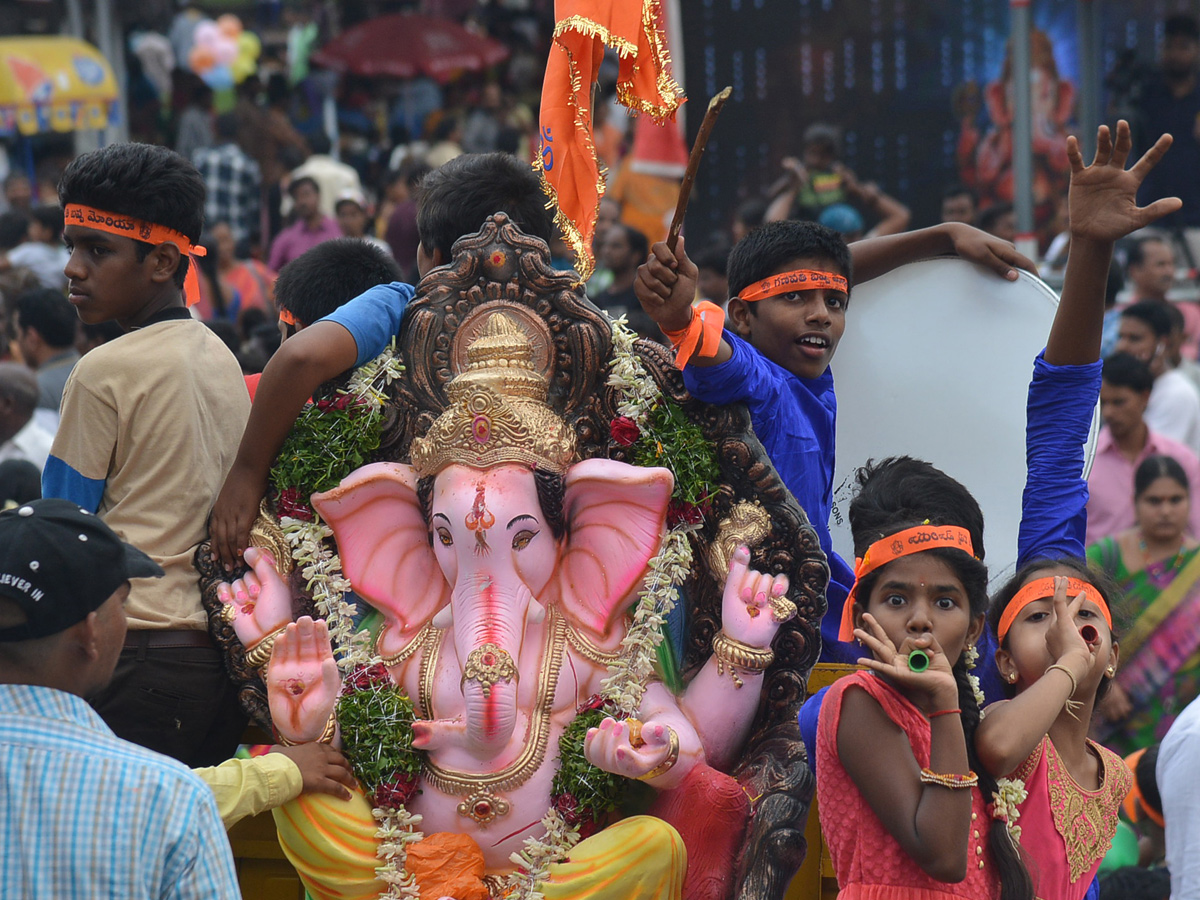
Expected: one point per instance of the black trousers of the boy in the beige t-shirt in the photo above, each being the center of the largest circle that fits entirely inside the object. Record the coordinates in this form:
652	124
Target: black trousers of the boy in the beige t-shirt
176	700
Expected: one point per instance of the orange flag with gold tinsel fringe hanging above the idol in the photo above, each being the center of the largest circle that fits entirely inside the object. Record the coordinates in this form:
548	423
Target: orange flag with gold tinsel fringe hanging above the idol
571	173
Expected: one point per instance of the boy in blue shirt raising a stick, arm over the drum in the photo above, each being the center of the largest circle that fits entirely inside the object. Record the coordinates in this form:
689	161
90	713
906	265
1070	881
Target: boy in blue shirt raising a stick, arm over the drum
790	287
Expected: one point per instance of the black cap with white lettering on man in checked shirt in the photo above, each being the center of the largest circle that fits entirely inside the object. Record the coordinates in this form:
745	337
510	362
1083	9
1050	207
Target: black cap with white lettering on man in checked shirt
59	563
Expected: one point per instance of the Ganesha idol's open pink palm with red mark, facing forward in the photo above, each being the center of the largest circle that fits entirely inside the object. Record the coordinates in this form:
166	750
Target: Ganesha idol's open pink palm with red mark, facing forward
303	683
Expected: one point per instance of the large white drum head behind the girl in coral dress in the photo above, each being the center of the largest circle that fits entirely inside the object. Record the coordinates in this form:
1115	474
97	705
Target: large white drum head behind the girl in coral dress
937	364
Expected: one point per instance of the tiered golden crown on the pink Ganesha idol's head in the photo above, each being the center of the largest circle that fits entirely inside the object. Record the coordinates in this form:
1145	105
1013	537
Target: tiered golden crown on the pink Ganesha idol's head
497	411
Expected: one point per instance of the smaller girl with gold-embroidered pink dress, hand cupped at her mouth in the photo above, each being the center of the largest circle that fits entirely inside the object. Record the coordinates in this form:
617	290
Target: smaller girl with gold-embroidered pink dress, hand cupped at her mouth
1061	793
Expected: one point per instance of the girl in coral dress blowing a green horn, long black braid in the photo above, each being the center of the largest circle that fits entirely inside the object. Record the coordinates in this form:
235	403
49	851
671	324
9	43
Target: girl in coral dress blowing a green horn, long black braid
902	811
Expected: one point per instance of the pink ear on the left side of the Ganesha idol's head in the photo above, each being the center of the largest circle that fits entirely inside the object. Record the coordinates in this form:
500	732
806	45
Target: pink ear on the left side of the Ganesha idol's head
385	543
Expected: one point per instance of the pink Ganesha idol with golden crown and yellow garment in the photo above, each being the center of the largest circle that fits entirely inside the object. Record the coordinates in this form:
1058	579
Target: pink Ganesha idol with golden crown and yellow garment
506	569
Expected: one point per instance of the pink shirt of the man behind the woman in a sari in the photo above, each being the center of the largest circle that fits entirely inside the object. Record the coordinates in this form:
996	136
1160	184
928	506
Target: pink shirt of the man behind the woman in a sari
1111	484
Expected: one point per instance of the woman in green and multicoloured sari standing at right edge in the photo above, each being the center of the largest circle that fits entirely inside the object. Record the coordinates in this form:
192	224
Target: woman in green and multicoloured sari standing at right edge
1157	565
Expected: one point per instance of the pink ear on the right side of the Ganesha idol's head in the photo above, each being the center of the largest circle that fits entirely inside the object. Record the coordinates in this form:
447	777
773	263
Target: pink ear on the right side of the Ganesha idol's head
615	519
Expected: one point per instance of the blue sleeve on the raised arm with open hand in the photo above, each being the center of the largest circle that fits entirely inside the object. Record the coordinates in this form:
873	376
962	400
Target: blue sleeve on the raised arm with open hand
1054	507
